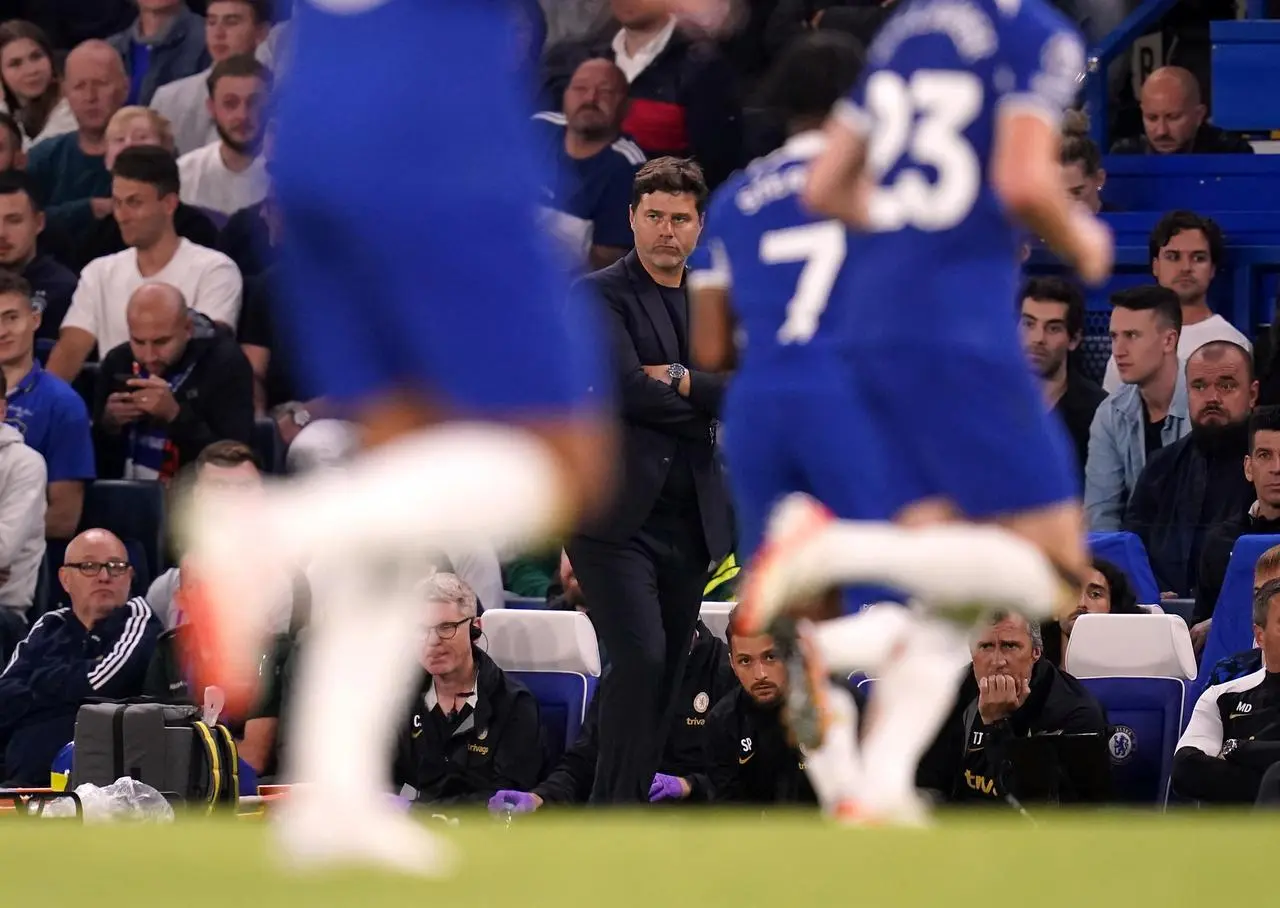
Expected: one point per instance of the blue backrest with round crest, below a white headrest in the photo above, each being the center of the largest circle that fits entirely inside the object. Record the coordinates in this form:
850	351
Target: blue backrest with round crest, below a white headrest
1145	717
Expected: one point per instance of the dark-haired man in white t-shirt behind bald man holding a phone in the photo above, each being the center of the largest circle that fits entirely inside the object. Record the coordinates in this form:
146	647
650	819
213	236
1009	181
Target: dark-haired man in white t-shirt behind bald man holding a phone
145	193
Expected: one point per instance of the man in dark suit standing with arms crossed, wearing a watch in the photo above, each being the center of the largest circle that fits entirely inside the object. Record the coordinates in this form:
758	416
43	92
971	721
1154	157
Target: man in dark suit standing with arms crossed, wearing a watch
643	565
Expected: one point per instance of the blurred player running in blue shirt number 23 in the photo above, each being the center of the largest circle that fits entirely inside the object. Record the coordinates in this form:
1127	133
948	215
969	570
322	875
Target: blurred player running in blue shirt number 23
947	150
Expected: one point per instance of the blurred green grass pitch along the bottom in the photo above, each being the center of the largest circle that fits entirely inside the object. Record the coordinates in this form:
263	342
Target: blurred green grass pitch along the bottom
670	860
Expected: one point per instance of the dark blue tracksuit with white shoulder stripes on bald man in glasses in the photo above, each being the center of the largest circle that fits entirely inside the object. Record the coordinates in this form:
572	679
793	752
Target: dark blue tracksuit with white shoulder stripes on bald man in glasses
56	669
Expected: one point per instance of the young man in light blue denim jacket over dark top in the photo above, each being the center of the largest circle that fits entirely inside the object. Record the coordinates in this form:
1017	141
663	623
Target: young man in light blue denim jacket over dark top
1148	413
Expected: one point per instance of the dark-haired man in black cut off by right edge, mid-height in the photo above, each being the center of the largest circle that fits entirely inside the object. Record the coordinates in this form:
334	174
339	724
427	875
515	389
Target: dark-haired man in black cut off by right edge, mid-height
1263	518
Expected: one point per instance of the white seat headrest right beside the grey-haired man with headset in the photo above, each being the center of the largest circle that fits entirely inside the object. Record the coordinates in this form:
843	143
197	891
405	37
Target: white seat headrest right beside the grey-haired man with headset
525	640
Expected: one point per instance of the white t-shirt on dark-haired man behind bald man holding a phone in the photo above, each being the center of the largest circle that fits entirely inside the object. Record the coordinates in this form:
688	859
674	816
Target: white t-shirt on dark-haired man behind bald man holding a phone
209	281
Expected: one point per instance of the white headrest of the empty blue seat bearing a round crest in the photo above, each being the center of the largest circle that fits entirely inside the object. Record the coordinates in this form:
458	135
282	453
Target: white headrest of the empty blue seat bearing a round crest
1131	646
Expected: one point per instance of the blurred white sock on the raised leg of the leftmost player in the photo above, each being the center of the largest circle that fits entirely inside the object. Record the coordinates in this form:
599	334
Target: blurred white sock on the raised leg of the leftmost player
470	485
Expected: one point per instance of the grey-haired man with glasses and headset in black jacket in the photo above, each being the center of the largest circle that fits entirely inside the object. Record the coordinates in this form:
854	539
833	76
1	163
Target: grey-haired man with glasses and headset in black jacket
473	729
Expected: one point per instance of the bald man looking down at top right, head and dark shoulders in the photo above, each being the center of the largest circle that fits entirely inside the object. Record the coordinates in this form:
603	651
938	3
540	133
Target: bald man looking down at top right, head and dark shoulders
1173	121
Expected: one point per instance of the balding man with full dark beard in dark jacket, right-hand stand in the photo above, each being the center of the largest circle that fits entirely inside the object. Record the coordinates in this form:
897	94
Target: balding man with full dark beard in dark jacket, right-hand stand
1199	481
